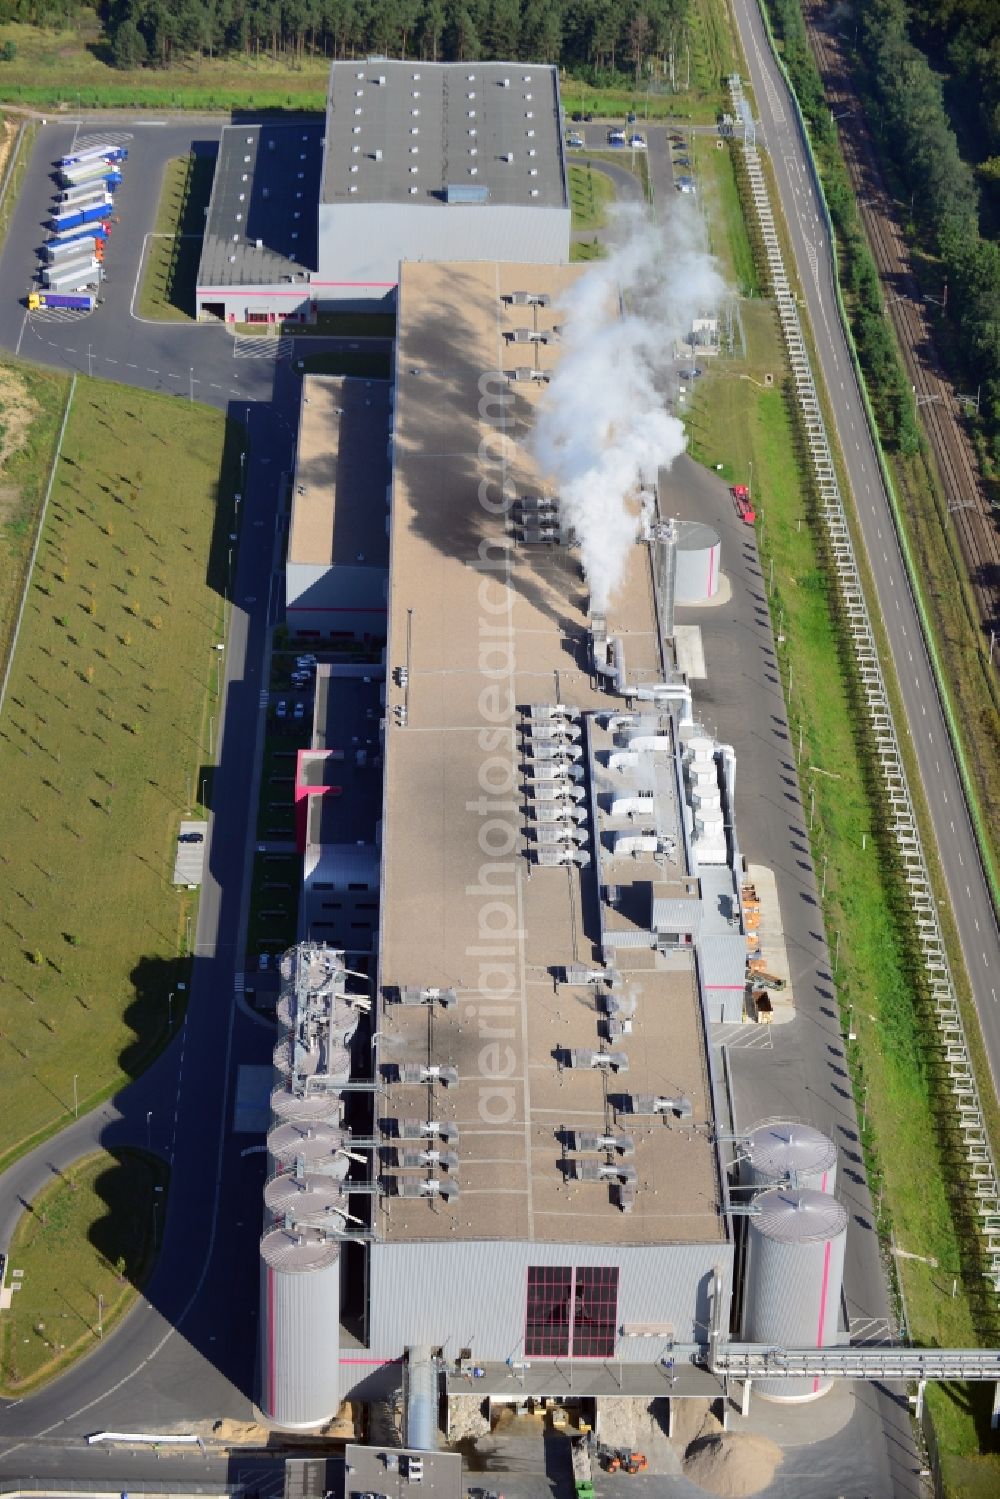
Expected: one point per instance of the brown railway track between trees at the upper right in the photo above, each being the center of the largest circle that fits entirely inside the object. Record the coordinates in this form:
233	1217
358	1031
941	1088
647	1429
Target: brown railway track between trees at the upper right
941	413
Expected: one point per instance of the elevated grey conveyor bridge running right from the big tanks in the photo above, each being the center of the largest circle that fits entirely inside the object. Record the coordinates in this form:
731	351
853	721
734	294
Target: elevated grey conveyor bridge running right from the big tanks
873	1362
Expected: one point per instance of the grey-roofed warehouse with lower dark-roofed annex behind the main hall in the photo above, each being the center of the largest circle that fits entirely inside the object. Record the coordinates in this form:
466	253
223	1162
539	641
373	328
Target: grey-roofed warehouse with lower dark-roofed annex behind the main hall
418	161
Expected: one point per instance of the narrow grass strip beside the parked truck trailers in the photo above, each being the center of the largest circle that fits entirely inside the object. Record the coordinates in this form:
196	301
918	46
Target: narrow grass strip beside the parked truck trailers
175	250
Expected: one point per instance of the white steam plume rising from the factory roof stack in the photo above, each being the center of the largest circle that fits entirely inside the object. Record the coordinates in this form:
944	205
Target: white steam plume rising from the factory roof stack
602	423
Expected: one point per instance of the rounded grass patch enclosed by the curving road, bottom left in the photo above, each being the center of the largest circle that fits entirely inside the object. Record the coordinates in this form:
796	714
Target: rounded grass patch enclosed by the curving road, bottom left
86	1246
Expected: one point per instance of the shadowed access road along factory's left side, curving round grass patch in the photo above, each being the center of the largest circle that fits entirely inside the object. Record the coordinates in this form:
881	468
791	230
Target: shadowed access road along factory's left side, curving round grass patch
190	1345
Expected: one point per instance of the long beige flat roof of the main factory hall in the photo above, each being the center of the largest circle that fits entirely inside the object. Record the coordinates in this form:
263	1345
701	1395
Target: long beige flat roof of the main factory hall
485	624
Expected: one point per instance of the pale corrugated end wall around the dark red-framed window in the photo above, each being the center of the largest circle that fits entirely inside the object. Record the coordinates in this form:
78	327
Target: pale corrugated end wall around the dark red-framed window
473	1294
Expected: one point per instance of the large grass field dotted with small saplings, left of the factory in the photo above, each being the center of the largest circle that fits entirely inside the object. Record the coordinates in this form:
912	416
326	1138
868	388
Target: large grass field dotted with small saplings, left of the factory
101	743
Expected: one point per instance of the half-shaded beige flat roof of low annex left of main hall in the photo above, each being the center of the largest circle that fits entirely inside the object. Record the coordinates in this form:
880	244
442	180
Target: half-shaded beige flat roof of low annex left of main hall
341	473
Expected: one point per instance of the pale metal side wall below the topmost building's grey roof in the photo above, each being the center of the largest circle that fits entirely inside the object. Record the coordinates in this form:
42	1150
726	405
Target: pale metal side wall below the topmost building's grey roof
362	245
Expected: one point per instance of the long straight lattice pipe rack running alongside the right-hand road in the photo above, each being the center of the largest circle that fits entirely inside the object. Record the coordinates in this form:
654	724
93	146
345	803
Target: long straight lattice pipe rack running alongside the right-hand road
902	812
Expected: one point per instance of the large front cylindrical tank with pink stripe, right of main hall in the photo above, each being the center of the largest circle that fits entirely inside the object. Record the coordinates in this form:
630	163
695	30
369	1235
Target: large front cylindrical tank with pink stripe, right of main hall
795	1273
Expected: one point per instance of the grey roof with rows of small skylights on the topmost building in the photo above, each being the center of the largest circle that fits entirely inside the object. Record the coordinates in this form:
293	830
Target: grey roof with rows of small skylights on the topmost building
407	133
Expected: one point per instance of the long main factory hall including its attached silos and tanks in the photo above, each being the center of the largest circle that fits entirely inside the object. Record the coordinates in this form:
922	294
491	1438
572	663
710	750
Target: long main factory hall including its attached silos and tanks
497	1167
